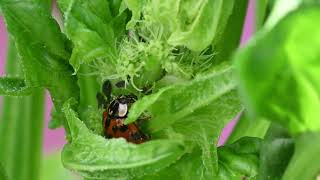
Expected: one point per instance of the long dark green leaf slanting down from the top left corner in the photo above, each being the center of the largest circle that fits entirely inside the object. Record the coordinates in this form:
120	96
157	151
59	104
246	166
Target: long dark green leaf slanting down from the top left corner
41	46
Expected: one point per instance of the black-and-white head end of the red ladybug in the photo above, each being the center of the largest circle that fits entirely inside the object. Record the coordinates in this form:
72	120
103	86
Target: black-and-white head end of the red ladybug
119	107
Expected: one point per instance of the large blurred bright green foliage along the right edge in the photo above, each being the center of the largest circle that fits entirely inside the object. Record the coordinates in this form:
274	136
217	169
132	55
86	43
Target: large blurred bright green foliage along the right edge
278	74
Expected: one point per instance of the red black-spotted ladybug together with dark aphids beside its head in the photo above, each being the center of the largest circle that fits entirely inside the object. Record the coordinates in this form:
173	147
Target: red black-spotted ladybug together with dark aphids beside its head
115	114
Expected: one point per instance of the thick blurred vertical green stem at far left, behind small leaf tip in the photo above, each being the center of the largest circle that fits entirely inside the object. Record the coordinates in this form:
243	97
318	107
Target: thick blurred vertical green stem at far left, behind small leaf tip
21	128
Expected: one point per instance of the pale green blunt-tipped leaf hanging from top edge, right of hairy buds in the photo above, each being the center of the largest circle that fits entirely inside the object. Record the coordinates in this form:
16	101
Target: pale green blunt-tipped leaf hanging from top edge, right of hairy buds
198	23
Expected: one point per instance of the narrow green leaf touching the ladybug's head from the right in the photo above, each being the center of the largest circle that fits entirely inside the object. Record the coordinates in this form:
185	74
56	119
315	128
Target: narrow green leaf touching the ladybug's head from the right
178	101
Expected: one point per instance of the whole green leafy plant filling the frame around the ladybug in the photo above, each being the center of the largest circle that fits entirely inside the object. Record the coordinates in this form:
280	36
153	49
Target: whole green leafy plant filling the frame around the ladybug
175	57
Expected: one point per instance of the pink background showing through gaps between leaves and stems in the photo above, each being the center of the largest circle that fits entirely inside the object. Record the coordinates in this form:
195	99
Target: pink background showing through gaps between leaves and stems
54	139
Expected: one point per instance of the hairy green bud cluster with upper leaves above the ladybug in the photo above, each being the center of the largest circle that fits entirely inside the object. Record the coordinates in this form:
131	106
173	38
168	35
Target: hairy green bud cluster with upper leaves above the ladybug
165	29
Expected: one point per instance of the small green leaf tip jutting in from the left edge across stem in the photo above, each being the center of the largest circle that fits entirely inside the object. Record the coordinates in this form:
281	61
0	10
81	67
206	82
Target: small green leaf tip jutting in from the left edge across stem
10	86
